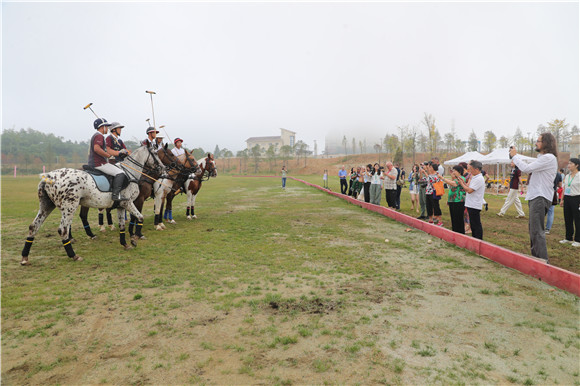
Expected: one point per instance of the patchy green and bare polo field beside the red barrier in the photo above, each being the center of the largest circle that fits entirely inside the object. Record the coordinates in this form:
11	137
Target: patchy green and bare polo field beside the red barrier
272	286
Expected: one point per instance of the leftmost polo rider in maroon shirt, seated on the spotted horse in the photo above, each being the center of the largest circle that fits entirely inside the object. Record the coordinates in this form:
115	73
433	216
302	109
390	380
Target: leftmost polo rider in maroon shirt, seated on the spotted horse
99	154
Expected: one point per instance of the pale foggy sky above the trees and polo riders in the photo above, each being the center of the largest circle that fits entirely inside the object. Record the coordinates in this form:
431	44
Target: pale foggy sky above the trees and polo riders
228	71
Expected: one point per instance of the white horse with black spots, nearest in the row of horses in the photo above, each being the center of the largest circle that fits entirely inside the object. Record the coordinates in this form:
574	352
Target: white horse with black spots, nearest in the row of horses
66	189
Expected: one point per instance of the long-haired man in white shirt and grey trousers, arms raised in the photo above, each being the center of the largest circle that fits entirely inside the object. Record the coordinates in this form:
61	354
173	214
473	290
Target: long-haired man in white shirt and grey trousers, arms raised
540	189
